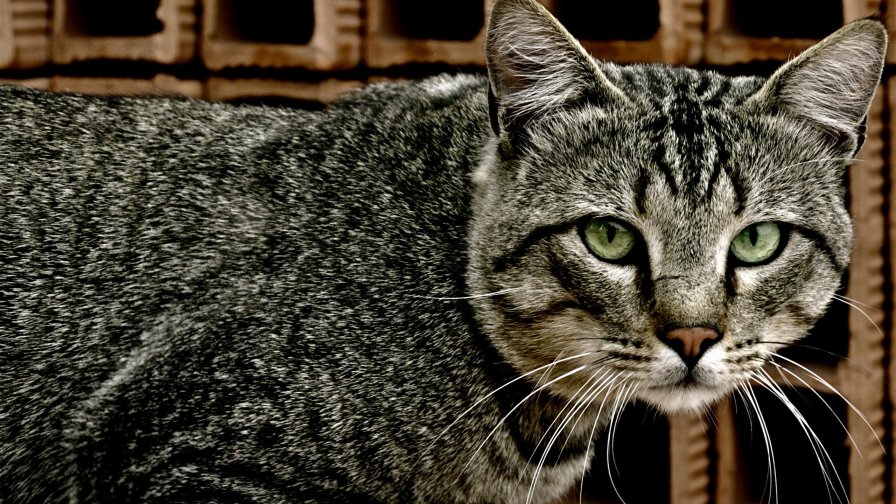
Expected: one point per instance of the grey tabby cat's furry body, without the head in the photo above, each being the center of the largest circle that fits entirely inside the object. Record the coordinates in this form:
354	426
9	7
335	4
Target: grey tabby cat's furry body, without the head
198	326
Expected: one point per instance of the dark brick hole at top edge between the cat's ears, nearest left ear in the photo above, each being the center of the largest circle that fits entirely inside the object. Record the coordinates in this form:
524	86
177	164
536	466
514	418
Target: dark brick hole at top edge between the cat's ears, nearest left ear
630	20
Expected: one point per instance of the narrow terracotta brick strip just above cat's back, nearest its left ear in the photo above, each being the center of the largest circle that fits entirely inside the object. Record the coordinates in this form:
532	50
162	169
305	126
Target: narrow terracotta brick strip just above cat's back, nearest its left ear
221	89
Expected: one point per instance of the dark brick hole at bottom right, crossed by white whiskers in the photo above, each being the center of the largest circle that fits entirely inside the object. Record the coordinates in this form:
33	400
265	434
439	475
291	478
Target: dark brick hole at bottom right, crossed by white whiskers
799	477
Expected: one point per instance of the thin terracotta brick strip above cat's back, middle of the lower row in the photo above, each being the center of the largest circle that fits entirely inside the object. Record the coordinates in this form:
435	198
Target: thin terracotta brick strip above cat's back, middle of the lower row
160	85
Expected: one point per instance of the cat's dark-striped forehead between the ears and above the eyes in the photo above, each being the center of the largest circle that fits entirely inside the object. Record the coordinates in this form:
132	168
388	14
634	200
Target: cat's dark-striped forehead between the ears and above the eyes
692	157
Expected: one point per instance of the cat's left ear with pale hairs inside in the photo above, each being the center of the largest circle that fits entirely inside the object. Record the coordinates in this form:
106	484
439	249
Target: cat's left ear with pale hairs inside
535	66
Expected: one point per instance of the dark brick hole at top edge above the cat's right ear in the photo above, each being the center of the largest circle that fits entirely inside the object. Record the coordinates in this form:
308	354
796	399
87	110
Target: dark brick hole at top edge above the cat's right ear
790	19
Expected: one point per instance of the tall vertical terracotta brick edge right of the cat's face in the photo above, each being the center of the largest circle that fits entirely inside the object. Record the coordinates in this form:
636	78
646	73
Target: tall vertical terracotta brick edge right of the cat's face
863	374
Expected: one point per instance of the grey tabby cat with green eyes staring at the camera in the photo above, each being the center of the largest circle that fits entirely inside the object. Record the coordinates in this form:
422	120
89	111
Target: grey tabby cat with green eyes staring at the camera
433	291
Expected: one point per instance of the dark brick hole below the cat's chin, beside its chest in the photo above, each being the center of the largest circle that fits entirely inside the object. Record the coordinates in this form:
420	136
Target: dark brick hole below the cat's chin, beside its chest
640	453
